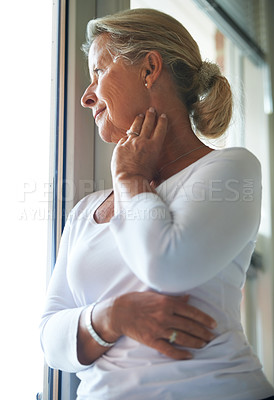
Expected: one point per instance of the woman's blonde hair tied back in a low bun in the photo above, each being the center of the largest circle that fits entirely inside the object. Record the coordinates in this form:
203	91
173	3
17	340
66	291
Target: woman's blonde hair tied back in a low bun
200	85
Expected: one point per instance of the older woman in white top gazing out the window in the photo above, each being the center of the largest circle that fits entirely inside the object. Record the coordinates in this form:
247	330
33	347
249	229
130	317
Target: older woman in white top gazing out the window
141	267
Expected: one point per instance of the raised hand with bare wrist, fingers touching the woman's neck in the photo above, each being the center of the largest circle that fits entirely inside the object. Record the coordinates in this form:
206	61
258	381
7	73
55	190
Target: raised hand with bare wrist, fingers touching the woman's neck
134	159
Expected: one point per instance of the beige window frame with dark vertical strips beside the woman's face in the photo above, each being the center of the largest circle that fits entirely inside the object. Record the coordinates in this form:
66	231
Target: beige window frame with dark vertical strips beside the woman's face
78	158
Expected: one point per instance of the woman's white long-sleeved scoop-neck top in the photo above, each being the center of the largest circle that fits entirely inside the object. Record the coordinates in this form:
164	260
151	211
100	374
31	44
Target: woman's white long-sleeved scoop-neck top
195	236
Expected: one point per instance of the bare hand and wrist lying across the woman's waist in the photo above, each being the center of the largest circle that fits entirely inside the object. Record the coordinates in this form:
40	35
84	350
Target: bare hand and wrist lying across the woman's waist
146	317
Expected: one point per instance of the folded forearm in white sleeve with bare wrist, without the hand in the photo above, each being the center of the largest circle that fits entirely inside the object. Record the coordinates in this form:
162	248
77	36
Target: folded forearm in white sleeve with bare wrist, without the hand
66	341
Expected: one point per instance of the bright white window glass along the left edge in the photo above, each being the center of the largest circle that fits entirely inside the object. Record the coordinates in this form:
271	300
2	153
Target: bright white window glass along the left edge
25	31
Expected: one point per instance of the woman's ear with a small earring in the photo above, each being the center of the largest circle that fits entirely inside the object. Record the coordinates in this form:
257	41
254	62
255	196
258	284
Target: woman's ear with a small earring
152	68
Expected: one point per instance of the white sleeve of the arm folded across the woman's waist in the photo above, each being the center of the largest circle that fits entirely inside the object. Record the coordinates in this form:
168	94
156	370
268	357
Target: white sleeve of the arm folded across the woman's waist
59	322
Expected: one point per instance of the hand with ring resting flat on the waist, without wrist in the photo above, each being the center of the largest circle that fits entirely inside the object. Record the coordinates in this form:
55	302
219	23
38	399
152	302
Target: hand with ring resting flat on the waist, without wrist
152	318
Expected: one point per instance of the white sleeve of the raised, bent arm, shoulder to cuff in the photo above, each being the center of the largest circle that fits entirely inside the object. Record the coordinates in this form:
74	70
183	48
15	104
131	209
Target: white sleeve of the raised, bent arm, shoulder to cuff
174	248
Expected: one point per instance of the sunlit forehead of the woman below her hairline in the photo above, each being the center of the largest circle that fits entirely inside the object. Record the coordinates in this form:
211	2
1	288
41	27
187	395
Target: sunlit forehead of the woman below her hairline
98	51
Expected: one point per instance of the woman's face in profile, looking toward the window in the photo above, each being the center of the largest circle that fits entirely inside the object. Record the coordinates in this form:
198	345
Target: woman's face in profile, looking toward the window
117	93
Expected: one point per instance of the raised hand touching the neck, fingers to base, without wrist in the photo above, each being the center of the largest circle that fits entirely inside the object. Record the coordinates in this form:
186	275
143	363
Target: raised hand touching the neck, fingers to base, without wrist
137	155
